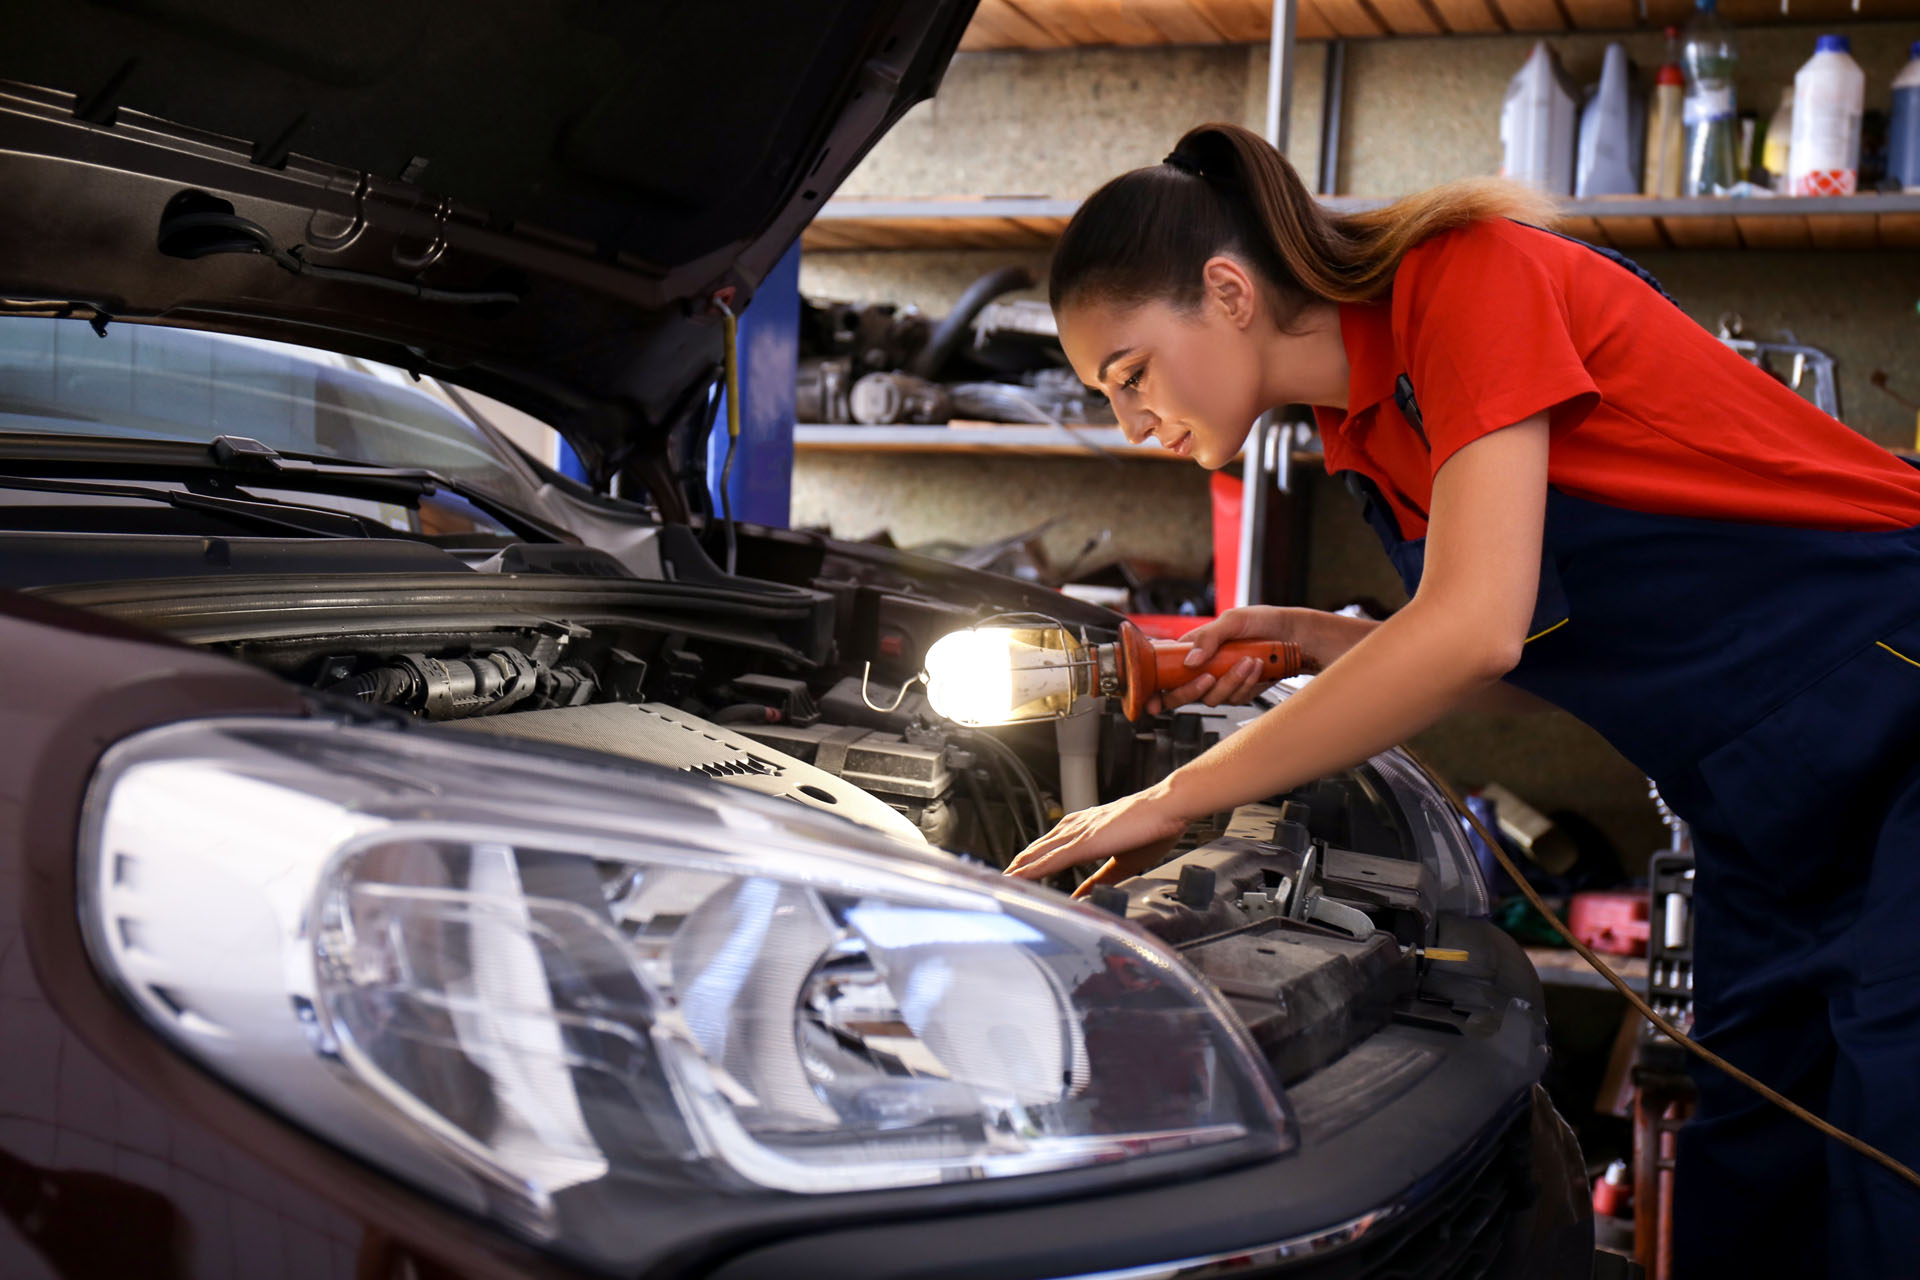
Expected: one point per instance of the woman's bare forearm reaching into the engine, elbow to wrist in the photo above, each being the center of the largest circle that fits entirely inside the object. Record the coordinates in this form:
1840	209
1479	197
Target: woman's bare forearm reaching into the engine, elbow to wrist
1391	682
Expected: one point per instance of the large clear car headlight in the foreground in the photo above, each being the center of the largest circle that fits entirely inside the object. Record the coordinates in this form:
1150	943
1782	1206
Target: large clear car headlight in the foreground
510	978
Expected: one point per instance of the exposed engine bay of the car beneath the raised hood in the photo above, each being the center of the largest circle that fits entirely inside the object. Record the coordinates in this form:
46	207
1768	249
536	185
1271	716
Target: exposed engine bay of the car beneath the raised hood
1312	913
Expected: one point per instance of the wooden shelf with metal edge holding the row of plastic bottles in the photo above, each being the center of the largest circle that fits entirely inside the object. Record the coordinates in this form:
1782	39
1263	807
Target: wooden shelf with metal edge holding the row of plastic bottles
1625	224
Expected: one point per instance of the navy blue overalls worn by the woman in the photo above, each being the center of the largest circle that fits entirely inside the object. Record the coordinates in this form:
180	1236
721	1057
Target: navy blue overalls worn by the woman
1769	682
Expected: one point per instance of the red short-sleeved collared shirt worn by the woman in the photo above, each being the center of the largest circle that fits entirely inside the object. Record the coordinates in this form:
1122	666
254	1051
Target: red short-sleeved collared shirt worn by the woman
1648	412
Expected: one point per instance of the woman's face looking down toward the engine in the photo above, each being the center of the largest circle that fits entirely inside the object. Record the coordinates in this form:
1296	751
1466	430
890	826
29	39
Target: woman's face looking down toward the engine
1191	381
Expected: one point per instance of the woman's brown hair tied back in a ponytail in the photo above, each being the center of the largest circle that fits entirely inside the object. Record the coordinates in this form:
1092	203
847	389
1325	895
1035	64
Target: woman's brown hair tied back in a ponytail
1224	191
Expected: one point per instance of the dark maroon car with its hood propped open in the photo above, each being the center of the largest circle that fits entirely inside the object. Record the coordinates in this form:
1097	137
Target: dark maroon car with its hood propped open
416	863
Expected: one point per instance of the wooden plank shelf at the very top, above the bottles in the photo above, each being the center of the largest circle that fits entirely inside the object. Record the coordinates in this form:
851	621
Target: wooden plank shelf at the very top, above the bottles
1082	24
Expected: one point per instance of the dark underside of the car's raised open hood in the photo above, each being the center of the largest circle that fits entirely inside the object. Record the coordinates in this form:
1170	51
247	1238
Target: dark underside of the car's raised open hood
533	201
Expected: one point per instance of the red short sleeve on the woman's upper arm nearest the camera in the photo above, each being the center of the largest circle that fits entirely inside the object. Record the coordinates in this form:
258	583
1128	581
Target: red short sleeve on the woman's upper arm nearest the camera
1487	337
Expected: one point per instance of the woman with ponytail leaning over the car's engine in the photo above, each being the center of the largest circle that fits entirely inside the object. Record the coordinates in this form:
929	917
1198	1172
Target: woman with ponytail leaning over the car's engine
1596	504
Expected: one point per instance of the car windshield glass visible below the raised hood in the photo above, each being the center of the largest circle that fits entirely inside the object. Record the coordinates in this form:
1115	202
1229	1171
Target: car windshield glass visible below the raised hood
151	383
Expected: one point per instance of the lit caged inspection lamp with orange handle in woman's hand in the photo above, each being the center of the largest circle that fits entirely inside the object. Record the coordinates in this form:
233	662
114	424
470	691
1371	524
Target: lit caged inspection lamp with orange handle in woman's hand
1028	667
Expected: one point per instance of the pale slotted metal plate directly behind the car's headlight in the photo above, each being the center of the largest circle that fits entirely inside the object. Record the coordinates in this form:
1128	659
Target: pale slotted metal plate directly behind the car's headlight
673	740
